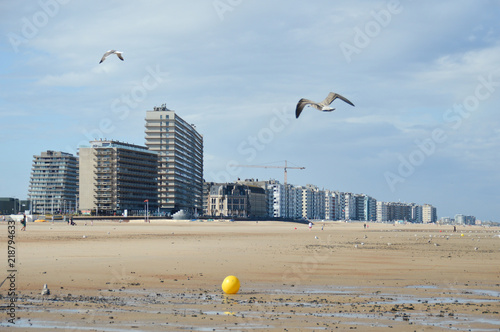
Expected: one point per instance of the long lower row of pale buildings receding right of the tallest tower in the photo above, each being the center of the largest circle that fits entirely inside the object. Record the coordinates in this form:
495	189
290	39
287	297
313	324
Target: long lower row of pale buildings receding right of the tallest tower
271	199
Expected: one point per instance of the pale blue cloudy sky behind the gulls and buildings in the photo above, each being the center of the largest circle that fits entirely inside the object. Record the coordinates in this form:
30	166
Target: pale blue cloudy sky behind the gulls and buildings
424	76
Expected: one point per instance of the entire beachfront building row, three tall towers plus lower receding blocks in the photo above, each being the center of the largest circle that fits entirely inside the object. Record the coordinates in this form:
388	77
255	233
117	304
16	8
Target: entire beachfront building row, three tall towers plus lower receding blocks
166	175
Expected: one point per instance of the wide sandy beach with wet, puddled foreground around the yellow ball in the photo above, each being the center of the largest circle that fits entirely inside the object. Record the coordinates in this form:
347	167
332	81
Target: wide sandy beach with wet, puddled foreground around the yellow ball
167	275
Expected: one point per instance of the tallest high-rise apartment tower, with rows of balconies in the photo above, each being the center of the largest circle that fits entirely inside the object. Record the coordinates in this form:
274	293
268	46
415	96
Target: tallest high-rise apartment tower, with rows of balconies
180	152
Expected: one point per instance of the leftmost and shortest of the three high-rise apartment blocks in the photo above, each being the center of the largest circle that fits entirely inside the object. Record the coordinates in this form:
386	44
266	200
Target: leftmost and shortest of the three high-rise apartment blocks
53	183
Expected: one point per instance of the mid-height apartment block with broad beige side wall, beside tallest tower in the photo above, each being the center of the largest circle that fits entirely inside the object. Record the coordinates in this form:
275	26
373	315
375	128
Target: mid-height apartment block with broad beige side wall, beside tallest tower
116	177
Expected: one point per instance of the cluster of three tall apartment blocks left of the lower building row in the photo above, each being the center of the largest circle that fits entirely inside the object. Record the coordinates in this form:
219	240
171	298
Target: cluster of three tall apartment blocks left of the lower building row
116	178
